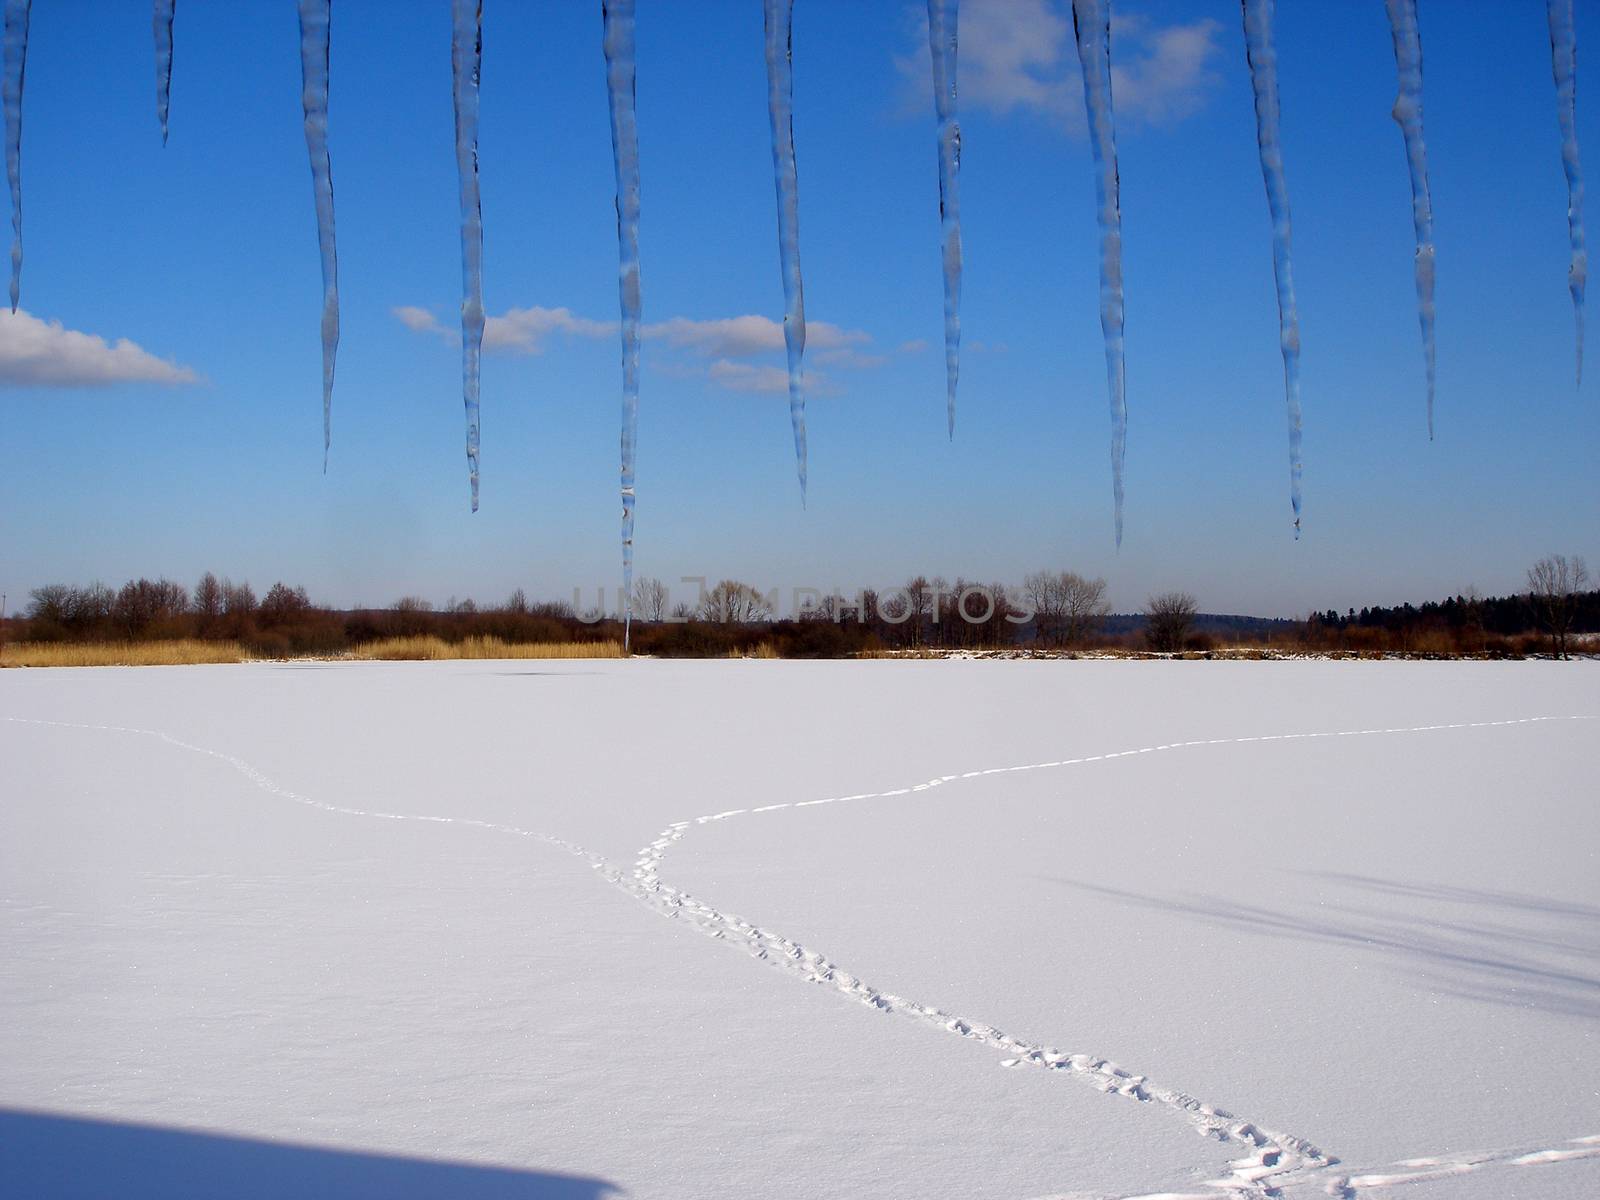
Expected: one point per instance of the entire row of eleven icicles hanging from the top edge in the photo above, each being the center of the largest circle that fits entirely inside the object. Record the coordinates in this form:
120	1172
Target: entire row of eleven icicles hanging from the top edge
1092	28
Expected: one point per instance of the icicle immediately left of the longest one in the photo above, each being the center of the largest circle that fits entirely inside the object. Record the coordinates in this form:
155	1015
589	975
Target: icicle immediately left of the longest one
466	60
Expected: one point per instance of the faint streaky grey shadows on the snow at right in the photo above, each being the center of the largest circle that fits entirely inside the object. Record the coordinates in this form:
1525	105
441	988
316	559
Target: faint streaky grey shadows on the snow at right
1500	948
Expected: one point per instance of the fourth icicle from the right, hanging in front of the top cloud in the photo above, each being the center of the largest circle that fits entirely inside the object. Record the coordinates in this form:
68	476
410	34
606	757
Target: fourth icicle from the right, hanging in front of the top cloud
1092	28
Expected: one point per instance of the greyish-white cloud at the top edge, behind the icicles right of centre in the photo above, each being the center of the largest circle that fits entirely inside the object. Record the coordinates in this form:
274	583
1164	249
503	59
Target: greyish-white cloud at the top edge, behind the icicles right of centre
1020	57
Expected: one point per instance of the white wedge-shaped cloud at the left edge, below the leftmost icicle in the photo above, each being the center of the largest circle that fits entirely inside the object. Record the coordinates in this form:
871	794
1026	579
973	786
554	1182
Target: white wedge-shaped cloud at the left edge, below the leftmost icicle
47	354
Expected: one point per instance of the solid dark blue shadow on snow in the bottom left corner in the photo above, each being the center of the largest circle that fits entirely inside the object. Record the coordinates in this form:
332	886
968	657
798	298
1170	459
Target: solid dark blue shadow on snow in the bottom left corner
49	1158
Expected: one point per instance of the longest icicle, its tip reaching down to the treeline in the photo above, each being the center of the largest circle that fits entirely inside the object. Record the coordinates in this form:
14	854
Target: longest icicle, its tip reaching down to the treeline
625	151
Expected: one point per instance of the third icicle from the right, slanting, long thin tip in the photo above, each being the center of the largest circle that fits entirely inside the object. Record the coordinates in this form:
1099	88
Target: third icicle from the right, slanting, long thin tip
1265	82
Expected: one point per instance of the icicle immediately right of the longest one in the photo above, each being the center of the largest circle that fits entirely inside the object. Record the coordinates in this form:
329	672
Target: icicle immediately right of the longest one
780	110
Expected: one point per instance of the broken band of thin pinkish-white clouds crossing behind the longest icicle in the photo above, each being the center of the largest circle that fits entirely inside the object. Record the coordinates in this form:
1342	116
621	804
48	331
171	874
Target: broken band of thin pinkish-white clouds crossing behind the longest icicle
713	350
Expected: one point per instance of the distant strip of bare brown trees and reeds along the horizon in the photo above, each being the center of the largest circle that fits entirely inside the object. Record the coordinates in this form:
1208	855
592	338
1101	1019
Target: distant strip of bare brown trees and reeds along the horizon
1050	610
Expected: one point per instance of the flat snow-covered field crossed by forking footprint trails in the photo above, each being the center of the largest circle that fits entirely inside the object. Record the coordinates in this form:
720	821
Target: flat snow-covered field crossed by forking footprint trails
441	930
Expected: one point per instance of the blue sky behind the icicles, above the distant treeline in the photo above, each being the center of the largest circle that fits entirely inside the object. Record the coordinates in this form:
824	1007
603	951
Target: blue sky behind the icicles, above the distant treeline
204	257
